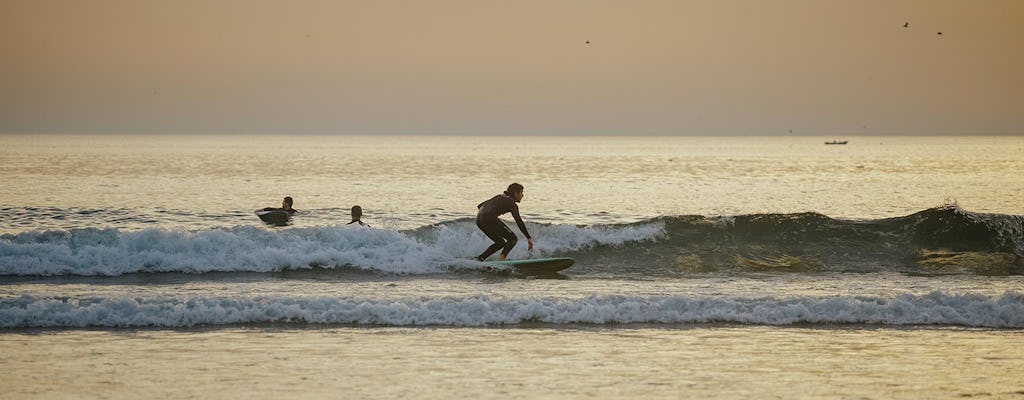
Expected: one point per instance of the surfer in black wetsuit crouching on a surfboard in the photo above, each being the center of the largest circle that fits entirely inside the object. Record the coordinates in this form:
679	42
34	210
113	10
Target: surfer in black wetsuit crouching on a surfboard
487	220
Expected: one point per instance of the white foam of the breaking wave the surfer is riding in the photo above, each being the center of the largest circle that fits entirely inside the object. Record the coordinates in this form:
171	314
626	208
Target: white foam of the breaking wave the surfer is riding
110	252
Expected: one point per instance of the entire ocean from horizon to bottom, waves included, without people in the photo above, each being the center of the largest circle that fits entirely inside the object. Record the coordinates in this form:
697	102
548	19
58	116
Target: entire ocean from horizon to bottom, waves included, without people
706	268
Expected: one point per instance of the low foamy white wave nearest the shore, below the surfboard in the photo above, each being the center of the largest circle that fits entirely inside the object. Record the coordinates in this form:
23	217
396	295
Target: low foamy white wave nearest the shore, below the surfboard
935	308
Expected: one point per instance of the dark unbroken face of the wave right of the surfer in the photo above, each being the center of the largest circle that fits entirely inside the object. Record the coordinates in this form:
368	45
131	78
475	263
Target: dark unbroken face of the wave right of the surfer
945	240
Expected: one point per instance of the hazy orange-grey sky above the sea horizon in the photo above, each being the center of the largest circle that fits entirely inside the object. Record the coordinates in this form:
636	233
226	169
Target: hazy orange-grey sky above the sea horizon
479	67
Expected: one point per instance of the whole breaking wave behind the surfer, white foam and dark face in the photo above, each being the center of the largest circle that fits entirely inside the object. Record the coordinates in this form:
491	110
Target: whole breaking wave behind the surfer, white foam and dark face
940	241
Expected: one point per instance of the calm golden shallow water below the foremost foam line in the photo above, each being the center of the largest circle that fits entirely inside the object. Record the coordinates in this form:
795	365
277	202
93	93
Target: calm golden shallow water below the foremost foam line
636	362
